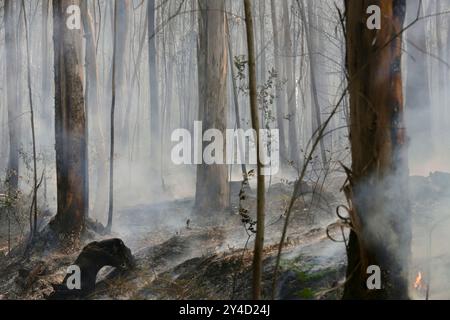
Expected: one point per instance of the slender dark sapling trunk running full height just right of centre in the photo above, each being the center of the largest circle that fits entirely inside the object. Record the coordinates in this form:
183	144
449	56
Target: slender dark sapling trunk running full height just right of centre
260	215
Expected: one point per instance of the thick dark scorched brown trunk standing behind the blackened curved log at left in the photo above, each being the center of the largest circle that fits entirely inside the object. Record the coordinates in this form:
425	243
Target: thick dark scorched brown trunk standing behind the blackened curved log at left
70	128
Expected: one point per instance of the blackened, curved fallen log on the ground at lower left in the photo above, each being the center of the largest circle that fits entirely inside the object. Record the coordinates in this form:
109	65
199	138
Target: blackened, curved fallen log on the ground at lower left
92	258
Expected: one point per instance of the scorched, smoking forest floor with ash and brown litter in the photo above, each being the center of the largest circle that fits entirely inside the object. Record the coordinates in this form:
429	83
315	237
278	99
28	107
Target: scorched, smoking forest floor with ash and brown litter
180	260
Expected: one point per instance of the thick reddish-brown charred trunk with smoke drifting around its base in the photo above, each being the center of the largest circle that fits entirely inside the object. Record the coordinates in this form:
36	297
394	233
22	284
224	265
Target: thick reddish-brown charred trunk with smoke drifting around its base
381	223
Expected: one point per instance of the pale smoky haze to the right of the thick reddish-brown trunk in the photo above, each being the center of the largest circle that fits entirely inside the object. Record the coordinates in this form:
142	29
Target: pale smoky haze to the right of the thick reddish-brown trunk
427	119
